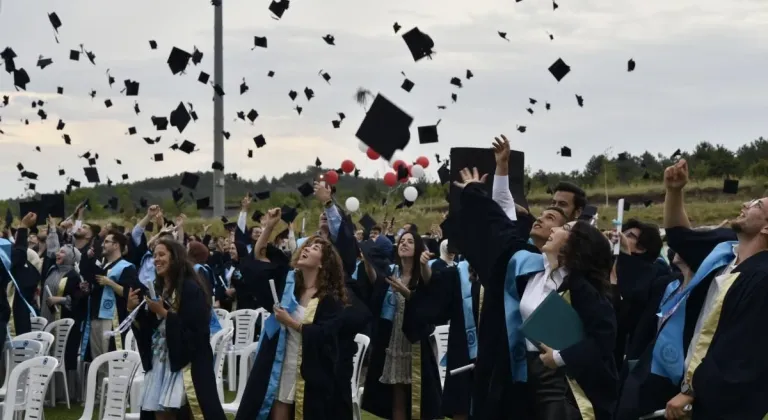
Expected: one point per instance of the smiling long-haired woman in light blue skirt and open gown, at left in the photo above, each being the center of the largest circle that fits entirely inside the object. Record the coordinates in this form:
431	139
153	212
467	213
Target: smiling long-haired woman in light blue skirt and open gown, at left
174	341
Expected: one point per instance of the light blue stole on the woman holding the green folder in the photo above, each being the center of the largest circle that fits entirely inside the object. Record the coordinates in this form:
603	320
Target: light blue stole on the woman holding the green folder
523	263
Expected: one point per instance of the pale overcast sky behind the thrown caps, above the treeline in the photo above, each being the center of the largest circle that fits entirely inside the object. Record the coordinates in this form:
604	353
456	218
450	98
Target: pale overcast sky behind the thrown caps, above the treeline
700	76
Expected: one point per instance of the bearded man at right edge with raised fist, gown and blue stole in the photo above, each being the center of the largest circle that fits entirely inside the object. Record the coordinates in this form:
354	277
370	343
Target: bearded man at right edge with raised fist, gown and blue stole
706	356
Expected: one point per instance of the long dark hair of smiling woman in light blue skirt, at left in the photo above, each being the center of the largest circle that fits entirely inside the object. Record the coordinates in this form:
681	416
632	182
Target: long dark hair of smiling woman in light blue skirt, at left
180	270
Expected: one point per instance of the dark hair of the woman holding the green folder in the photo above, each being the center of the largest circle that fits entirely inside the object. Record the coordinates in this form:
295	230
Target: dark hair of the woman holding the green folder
587	253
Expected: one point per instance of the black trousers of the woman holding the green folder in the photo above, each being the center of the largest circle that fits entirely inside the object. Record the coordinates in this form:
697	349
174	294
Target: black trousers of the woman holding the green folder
548	392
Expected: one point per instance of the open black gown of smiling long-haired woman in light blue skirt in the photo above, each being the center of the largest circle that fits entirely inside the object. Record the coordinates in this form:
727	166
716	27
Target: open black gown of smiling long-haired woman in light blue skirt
189	350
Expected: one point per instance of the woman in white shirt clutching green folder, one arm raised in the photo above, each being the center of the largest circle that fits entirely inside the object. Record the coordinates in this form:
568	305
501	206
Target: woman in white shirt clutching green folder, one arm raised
533	380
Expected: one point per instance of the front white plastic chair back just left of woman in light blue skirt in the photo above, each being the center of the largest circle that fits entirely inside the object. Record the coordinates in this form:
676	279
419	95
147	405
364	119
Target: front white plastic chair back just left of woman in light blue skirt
122	367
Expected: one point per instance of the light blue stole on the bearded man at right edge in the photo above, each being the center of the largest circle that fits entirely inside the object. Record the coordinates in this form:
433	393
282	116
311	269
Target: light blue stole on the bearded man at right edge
668	352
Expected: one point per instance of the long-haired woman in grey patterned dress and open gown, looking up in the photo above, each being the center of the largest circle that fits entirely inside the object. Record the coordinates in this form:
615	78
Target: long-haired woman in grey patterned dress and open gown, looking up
403	381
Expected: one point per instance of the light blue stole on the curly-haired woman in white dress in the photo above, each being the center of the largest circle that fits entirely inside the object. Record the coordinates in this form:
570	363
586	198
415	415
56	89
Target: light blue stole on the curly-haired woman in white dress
271	327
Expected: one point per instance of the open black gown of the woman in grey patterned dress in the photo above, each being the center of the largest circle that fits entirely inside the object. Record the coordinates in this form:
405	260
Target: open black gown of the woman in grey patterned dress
424	393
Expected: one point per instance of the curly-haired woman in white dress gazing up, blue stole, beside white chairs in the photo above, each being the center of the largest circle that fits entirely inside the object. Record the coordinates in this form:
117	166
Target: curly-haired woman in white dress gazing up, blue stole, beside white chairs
294	372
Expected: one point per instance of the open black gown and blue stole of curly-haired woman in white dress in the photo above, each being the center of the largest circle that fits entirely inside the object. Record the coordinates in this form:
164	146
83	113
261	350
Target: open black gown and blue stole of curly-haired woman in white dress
318	358
